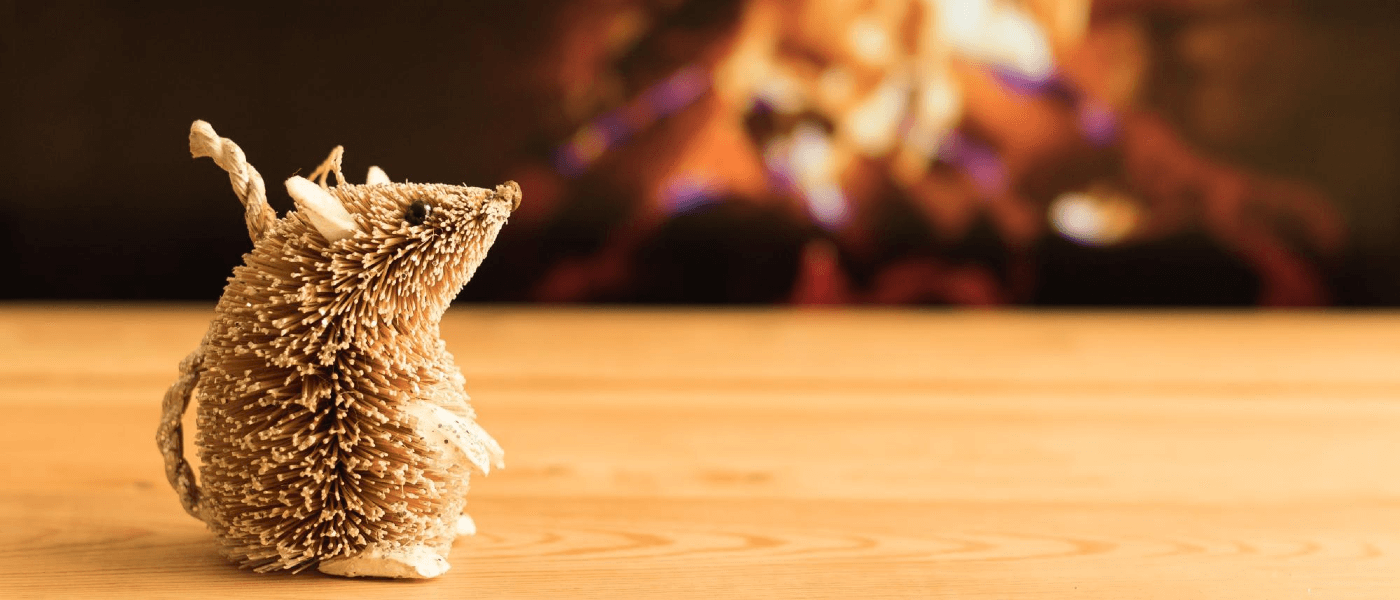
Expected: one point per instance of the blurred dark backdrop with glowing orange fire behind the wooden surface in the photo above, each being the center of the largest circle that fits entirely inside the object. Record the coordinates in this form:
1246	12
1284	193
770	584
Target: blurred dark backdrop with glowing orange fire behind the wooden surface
752	152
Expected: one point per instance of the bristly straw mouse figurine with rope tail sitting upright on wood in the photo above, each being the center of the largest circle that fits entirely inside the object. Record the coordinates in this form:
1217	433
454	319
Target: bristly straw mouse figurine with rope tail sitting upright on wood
334	427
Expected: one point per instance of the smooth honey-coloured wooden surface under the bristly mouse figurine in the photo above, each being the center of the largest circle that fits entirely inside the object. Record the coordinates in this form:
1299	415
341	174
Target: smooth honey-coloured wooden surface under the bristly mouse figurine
705	455
